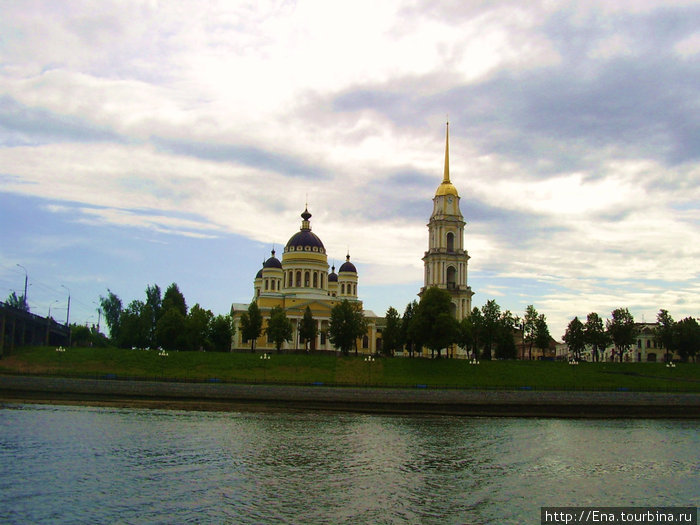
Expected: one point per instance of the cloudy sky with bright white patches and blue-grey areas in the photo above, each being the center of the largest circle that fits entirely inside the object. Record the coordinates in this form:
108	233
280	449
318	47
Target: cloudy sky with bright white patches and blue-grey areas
146	142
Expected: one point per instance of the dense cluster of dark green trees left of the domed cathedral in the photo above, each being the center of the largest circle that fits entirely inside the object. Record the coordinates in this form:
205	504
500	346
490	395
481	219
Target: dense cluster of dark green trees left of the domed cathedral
164	320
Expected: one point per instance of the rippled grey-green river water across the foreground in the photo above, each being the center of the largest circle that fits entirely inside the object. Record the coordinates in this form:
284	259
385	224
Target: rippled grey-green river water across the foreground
70	464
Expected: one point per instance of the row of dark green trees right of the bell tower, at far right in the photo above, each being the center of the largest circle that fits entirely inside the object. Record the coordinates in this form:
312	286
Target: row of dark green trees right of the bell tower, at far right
621	331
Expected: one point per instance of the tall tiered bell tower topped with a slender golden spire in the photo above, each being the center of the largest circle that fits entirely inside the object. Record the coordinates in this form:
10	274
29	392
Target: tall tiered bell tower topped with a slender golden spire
446	261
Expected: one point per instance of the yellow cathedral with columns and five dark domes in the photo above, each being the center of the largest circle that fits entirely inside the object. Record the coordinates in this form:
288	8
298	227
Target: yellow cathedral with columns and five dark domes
299	280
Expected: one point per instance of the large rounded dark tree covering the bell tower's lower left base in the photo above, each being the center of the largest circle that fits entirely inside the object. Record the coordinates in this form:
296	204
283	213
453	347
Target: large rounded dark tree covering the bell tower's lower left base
433	320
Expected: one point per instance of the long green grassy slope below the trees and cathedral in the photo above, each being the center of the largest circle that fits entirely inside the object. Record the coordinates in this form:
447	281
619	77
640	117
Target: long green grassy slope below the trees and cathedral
331	370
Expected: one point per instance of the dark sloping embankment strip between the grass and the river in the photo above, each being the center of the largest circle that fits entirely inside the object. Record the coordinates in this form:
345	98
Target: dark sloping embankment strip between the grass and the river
418	401
